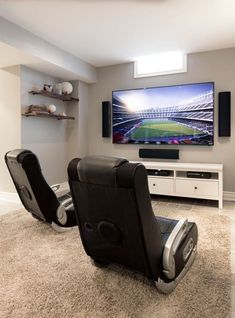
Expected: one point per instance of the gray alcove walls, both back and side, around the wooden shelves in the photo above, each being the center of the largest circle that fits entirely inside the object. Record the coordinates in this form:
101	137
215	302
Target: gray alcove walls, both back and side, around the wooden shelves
55	142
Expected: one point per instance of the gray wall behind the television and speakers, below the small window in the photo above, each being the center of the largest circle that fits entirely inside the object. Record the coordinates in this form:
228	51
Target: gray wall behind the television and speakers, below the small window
217	66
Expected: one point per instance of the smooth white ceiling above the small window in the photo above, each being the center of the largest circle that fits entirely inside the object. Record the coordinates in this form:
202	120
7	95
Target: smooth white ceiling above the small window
117	31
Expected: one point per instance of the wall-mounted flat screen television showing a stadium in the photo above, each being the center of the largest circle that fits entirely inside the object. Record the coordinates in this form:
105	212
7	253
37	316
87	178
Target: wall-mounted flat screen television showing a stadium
169	115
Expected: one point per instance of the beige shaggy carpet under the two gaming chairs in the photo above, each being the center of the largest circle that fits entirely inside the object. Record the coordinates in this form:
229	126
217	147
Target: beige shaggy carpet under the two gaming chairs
46	274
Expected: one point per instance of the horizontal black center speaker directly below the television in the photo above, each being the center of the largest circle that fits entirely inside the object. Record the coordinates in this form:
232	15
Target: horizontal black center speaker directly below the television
159	153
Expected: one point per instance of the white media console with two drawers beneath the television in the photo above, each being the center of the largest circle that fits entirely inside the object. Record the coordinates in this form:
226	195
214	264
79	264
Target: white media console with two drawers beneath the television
177	183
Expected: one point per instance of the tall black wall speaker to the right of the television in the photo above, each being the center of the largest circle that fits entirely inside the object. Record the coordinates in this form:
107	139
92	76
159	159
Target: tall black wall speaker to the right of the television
225	114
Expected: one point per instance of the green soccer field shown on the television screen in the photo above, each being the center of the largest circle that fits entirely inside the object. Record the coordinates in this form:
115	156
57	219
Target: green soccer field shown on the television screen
162	128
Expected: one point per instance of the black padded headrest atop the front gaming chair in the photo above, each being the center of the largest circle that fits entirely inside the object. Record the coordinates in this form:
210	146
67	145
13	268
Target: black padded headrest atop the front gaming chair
99	169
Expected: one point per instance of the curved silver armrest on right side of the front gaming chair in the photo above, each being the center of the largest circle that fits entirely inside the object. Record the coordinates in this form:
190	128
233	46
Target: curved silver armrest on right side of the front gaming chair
177	235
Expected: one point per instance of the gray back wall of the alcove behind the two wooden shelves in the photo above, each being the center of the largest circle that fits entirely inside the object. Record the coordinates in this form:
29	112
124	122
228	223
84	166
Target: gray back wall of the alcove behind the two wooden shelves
46	137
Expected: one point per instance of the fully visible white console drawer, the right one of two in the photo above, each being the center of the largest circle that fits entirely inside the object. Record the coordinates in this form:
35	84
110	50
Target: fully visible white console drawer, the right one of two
197	188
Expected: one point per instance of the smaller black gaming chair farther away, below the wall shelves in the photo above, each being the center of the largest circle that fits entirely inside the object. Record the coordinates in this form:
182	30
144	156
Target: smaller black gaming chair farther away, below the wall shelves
37	196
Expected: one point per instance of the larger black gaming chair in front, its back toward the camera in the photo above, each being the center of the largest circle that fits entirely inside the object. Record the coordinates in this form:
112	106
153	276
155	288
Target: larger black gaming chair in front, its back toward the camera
117	224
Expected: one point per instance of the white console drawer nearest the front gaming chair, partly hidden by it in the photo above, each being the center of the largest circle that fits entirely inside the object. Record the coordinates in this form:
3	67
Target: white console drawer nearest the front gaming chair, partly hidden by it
160	185
